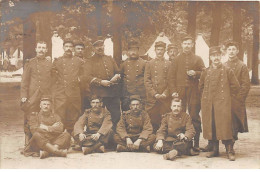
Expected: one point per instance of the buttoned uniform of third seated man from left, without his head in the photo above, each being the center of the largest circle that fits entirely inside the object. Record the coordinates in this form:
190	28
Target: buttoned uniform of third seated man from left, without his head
134	126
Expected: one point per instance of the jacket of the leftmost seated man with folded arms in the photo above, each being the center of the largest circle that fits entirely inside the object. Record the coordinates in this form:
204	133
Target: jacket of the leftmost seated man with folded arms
53	121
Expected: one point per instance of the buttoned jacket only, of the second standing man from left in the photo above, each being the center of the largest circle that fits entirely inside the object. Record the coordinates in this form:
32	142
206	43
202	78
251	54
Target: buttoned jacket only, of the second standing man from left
68	72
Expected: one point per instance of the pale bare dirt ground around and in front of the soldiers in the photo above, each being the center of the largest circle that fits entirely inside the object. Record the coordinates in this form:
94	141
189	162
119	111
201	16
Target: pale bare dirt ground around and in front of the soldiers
12	139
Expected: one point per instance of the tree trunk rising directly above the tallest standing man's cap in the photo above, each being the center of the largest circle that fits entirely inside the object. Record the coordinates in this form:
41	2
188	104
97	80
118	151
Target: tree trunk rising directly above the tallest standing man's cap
192	15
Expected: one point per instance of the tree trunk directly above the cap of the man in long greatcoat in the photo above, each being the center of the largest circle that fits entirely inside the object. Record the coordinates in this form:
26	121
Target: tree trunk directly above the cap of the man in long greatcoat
216	24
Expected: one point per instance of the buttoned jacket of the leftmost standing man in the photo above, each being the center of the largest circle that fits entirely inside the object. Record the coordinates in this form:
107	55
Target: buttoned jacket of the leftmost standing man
36	78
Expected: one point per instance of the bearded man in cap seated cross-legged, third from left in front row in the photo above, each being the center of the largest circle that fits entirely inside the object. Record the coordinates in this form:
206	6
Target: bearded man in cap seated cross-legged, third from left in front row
134	130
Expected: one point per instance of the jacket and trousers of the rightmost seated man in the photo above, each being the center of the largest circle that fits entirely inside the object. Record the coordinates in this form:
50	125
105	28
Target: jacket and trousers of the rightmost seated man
171	126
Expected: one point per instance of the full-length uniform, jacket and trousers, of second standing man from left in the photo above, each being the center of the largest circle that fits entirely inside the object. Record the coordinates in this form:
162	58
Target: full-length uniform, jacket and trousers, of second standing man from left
68	72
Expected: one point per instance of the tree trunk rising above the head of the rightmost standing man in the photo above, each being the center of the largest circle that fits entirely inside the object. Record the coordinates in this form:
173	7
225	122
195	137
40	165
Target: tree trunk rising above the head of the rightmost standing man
237	27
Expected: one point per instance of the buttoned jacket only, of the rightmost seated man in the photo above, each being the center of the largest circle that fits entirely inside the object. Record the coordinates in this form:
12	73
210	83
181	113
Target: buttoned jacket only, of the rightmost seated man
172	125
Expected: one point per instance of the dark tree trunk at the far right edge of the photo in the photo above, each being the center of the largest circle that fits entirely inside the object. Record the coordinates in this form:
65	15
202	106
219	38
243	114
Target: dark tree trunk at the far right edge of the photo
255	60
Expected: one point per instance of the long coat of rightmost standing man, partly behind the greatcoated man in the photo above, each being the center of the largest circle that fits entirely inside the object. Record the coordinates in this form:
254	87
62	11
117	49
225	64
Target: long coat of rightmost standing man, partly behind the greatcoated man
238	106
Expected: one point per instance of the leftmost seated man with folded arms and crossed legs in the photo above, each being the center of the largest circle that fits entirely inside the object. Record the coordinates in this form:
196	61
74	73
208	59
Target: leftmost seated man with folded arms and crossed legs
48	136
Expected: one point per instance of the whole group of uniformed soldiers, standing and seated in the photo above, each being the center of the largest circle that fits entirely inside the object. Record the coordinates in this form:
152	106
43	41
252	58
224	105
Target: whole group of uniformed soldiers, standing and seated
89	103
